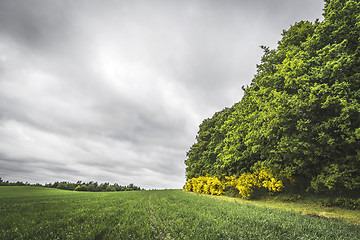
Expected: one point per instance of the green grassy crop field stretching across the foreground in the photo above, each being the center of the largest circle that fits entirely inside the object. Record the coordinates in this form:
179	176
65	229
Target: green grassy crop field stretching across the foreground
43	213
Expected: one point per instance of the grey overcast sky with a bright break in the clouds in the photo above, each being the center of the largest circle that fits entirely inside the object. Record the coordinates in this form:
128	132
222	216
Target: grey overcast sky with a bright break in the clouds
114	91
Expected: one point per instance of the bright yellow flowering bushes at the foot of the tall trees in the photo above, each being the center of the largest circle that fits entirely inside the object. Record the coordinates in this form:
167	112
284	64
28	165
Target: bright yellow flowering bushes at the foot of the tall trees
246	183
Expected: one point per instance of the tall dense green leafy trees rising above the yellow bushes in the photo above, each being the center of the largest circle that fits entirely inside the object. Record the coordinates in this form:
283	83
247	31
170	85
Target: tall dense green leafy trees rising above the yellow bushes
301	112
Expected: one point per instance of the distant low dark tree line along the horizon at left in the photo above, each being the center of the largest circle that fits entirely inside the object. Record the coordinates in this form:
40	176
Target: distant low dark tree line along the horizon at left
78	186
